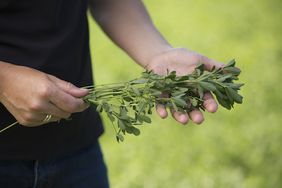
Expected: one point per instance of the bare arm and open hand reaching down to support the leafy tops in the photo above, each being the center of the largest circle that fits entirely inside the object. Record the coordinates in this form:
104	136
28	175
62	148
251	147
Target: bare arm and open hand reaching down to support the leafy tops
128	24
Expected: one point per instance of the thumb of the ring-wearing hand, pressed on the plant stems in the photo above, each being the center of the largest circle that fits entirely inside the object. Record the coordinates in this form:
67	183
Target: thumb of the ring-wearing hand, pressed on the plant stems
69	87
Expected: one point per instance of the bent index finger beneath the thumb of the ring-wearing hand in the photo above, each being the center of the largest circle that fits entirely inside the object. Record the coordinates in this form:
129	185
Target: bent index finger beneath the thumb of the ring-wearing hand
67	102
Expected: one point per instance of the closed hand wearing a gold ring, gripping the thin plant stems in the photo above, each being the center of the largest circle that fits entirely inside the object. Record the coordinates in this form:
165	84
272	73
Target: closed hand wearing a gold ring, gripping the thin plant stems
31	95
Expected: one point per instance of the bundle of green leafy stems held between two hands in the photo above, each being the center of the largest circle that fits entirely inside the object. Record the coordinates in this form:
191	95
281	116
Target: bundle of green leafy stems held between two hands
129	104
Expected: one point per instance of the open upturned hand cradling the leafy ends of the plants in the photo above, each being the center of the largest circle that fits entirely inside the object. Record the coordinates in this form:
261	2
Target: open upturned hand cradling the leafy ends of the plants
183	62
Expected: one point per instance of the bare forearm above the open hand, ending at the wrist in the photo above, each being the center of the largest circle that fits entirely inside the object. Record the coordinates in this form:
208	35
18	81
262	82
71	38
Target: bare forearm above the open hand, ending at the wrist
128	24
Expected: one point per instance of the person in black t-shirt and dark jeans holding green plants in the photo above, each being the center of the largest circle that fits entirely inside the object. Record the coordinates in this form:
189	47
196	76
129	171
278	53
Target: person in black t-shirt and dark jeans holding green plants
45	62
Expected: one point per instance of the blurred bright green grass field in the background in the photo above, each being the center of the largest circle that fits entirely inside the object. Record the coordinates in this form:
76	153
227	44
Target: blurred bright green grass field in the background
238	148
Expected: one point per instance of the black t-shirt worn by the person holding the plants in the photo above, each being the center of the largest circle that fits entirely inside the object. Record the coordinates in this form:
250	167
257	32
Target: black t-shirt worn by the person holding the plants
50	36
